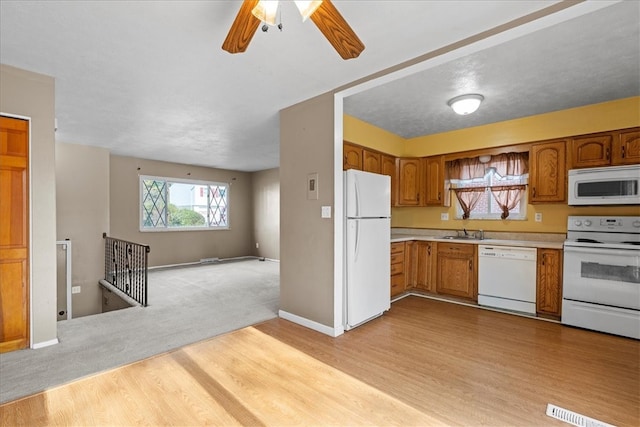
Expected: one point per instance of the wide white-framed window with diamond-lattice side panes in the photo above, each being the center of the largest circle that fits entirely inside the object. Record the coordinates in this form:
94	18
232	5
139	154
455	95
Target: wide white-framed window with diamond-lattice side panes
169	204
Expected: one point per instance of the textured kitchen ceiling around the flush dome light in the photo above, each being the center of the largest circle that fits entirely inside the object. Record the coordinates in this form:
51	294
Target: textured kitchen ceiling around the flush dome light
589	59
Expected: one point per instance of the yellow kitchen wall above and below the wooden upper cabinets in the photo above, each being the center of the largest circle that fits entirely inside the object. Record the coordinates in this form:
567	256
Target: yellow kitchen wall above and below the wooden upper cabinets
592	118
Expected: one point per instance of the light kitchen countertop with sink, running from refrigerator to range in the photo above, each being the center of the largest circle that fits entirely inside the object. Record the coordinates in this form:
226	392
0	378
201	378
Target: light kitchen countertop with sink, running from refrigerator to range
511	239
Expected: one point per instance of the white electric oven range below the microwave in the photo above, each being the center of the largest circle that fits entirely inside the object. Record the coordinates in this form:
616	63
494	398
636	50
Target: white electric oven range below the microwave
601	274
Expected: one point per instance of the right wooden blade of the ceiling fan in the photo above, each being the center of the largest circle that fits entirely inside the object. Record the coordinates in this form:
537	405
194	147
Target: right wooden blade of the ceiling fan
337	31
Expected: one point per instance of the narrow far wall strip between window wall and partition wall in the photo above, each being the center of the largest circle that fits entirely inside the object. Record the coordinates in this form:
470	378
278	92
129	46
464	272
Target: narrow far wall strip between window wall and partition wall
266	213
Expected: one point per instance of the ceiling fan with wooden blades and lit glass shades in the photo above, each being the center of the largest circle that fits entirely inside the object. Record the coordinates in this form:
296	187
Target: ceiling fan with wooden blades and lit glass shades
323	13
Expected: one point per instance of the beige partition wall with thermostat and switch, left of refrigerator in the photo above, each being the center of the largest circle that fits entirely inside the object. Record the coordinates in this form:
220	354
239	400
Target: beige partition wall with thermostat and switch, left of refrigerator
307	240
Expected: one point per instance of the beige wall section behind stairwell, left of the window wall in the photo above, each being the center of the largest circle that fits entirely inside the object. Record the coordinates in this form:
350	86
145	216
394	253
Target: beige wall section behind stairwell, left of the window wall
82	195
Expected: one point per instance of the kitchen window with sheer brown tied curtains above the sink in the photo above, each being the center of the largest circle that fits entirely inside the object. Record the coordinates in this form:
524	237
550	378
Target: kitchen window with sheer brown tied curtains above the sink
494	188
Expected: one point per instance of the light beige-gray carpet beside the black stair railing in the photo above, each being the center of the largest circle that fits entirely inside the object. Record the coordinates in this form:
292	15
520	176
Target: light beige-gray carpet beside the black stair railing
186	305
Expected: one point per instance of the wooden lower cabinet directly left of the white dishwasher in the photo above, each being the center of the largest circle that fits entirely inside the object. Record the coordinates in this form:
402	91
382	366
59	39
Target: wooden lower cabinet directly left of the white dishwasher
456	270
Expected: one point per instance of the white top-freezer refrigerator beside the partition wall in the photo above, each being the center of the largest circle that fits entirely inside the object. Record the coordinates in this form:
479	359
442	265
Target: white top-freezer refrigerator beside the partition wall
367	246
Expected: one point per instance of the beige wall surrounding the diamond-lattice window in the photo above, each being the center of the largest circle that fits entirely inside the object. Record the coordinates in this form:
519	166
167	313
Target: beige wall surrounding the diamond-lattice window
177	247
